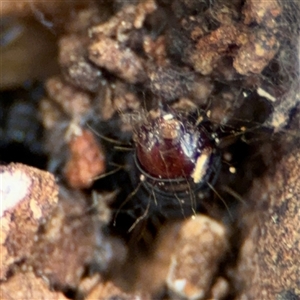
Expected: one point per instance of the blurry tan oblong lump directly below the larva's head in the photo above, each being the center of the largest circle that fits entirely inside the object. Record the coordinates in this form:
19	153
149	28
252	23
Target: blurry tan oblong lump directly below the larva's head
201	245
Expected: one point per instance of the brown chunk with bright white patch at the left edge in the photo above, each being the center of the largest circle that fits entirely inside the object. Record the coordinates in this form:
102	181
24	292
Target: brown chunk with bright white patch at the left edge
28	195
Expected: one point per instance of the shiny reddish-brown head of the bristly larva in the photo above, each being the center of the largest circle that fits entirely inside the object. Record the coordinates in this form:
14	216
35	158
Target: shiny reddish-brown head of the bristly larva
171	147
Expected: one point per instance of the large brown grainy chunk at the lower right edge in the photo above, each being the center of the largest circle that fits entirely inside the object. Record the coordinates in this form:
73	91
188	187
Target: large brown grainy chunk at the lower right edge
269	264
